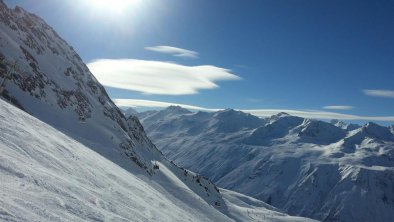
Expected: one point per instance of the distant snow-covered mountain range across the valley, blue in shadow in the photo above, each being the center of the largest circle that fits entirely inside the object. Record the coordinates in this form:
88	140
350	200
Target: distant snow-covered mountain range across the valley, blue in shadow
302	166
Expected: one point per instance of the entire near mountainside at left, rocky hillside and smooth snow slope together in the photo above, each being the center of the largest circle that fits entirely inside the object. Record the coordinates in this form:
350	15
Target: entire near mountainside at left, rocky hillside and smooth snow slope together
82	159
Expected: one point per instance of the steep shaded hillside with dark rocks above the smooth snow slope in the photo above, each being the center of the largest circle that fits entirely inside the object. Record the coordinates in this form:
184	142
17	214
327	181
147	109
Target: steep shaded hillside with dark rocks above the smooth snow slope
48	79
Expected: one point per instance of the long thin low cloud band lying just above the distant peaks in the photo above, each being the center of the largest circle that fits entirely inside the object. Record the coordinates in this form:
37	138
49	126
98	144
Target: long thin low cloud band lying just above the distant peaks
256	112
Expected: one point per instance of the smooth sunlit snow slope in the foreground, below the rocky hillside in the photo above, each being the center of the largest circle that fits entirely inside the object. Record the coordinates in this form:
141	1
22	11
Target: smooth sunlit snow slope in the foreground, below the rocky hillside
49	176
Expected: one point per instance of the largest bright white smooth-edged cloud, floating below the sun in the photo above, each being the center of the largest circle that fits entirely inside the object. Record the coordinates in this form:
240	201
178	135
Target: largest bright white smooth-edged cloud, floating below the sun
157	77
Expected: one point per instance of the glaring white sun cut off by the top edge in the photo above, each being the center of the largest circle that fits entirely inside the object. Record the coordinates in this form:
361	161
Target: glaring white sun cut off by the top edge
113	7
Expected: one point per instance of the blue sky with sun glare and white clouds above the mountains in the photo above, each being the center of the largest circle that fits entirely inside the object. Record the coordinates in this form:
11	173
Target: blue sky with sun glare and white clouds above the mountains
292	55
